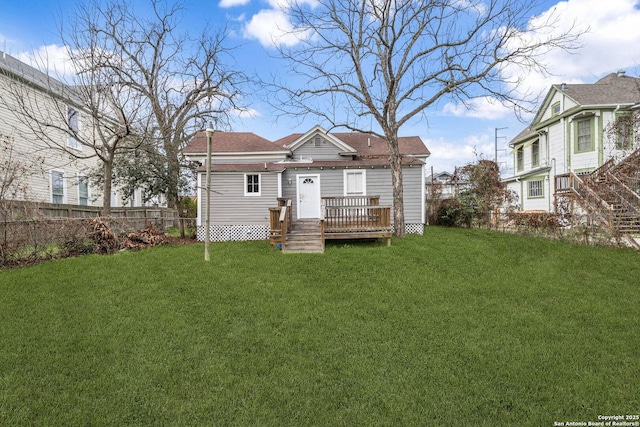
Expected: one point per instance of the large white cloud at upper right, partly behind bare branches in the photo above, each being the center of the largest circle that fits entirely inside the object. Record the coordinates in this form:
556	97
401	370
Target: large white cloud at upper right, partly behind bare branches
607	47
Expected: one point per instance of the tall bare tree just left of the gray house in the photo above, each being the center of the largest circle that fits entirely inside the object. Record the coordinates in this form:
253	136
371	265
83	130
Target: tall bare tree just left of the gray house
183	83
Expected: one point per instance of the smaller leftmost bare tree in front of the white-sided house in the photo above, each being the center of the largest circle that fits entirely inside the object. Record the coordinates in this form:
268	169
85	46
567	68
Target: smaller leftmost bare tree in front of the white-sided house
84	116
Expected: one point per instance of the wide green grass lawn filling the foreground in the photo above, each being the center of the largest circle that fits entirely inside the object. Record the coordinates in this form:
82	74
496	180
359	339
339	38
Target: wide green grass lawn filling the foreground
459	327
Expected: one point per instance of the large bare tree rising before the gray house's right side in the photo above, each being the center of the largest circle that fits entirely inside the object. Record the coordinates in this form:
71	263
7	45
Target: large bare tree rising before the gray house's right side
388	61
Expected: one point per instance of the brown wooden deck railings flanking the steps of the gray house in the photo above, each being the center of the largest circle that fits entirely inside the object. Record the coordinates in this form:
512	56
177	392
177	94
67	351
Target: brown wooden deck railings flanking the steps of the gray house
351	217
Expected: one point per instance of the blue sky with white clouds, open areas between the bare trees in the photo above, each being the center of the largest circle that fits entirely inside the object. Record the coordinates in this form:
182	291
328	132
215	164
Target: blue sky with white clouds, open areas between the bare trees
454	134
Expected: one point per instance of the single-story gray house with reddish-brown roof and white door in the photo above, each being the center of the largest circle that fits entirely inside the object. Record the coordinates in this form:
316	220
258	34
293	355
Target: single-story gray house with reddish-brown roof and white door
250	174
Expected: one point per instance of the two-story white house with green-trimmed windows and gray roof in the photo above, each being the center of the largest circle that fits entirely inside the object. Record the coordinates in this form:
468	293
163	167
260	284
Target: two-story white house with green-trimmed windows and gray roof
568	135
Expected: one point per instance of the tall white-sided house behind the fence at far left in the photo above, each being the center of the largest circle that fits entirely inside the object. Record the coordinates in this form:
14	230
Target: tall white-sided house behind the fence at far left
50	173
